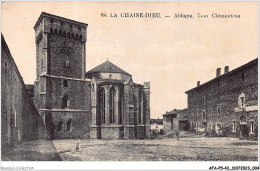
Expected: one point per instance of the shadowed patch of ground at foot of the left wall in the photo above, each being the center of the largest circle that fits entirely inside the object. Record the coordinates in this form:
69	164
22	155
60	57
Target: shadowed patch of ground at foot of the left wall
31	151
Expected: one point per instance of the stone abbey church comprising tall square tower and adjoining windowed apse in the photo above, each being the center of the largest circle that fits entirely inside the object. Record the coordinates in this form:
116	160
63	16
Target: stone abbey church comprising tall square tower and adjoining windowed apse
103	103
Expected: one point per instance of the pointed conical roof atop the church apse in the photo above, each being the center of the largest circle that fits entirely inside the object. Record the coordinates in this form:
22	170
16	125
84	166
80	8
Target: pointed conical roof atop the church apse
107	67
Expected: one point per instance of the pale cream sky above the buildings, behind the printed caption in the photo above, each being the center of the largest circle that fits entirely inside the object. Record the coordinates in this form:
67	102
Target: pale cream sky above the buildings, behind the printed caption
172	53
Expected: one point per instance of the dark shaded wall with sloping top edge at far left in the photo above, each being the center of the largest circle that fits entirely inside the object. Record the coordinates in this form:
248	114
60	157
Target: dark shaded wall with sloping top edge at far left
20	120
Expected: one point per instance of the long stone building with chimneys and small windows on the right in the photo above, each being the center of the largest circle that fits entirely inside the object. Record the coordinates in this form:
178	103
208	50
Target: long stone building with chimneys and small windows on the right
228	104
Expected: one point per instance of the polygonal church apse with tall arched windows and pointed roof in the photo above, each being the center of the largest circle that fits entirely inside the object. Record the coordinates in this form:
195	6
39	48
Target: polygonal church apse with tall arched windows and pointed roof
120	108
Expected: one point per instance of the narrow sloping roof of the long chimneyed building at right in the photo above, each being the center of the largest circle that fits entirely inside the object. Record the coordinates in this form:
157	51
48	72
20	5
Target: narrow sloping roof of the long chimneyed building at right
253	62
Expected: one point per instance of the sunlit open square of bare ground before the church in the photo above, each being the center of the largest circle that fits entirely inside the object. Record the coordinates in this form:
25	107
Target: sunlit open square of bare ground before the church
188	148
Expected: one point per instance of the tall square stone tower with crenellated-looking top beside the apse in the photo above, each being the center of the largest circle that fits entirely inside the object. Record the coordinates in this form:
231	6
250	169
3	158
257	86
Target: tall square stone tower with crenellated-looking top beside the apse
62	95
